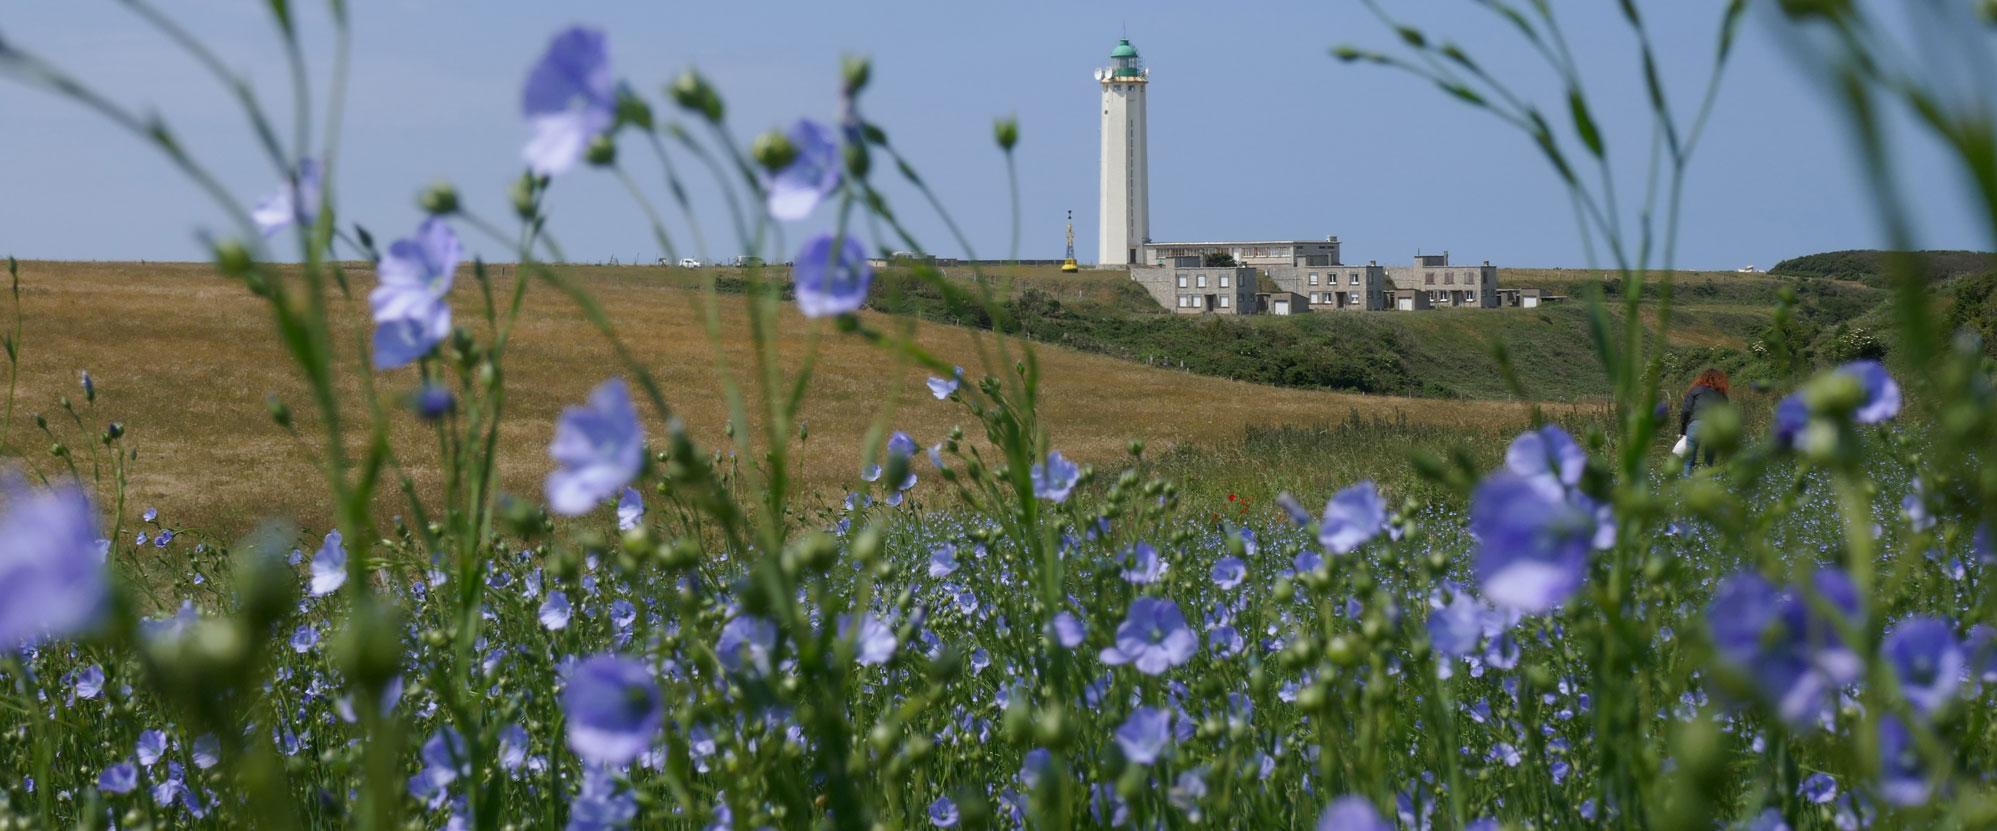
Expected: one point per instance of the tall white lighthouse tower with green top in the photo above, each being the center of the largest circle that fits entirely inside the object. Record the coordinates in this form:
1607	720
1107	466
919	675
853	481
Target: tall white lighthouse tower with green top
1123	221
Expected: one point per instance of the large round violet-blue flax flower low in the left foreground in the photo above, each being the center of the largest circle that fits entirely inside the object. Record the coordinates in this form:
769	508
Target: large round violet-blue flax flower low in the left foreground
614	710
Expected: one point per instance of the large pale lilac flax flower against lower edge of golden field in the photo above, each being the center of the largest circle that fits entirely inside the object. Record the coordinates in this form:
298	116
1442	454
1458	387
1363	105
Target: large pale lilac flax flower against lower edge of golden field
598	450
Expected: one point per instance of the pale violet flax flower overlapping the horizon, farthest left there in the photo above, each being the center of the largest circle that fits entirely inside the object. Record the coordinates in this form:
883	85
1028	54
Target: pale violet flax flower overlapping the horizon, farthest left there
408	305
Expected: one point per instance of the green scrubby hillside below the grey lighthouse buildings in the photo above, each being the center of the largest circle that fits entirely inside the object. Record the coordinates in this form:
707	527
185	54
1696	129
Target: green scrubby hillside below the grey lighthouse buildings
1718	317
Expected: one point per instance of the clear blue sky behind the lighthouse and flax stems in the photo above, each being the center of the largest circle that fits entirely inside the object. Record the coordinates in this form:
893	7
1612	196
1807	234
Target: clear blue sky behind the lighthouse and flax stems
1255	131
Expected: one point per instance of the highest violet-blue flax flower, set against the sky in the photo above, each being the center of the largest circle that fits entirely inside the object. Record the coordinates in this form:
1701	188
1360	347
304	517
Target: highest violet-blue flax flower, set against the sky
570	101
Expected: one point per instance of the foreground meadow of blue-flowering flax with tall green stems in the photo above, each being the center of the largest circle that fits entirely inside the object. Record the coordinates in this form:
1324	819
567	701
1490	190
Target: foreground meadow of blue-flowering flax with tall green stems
1575	630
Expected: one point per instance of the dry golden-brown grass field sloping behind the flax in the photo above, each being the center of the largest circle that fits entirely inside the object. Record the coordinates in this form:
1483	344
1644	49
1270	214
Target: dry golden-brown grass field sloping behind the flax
187	359
